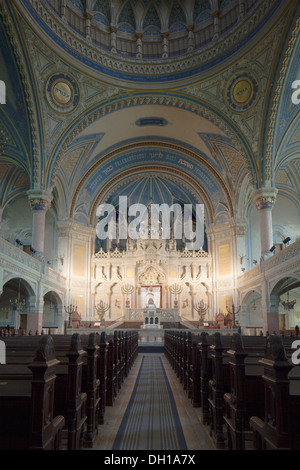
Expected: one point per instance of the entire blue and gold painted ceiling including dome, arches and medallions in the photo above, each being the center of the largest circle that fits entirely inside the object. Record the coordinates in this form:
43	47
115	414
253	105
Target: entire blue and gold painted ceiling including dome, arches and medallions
180	92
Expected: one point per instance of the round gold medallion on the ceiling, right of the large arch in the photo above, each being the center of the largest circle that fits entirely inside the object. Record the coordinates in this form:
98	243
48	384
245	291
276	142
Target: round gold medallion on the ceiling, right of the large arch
242	91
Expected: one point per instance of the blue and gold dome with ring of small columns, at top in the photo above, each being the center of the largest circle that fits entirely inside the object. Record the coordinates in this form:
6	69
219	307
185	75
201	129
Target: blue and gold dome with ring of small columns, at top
150	40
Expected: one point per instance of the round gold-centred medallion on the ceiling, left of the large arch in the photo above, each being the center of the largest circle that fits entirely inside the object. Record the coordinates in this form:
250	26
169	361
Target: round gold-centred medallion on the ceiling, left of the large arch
62	93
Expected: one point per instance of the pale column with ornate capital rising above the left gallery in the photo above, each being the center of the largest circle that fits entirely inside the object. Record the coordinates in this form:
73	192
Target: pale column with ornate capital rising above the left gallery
40	202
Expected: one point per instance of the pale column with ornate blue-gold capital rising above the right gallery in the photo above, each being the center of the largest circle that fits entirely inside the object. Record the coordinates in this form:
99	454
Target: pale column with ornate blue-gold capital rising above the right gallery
264	200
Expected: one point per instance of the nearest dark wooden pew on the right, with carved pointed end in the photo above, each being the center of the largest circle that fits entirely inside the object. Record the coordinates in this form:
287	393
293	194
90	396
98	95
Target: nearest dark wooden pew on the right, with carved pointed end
279	430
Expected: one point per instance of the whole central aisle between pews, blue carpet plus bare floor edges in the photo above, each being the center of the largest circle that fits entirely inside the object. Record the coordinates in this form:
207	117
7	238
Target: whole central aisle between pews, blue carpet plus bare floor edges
152	412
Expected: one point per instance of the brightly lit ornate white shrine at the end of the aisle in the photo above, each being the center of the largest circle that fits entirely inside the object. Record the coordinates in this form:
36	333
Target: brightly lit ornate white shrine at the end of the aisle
174	280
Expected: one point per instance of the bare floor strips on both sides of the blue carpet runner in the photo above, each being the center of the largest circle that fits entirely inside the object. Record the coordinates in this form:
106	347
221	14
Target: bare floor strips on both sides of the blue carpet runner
196	435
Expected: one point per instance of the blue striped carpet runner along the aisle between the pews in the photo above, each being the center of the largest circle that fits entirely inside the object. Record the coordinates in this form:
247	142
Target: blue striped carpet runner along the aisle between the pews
151	420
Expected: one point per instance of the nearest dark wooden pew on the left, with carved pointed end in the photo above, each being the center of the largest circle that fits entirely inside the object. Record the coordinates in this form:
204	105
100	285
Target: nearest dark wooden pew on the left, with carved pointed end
27	404
